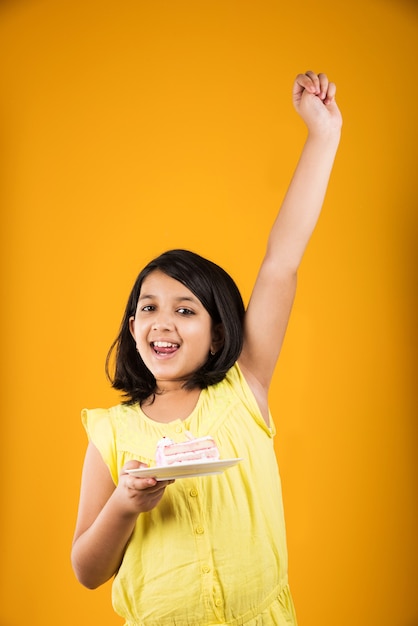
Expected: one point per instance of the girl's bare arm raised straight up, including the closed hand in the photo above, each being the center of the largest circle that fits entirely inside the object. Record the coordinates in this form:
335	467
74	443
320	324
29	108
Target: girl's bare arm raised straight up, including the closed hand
272	298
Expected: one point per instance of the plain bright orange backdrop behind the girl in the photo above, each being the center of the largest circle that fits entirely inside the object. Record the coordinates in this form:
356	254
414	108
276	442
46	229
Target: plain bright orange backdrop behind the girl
131	127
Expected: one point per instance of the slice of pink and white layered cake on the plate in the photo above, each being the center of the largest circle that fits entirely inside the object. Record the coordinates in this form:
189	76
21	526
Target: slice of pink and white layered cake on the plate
194	449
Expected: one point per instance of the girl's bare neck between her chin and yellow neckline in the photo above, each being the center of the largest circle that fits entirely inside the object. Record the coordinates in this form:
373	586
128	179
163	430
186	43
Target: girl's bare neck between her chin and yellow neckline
170	404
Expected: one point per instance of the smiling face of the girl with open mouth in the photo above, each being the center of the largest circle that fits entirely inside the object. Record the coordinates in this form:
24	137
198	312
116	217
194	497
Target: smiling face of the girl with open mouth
173	331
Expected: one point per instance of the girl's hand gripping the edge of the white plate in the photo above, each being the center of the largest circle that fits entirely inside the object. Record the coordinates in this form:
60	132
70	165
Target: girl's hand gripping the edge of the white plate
139	495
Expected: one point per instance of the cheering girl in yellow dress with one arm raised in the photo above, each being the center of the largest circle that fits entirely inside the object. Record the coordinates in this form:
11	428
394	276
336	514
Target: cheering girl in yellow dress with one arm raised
207	550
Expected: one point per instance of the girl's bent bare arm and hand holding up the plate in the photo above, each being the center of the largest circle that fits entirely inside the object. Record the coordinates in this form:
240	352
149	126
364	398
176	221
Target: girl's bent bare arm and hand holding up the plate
107	517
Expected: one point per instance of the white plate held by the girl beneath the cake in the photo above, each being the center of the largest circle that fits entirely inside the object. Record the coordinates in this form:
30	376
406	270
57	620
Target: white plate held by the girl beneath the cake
185	470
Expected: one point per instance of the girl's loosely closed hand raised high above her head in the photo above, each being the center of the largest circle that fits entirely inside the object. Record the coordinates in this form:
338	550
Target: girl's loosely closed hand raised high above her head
314	100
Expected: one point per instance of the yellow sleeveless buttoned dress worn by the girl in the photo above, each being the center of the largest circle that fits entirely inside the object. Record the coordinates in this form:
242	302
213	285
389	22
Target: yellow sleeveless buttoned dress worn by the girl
213	551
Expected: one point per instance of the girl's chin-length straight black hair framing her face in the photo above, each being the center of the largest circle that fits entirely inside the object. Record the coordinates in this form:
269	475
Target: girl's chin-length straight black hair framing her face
220	296
